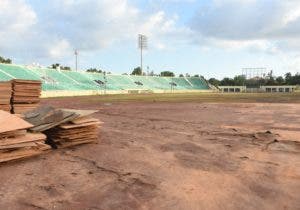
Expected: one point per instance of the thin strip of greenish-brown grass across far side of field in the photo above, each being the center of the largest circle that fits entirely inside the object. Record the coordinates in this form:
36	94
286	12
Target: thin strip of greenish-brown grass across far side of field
198	97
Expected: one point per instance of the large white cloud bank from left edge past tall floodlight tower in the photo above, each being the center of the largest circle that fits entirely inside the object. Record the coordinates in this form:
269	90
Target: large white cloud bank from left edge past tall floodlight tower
58	26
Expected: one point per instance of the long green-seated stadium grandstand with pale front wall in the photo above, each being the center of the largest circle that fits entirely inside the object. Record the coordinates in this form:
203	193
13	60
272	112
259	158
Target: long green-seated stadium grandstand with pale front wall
71	83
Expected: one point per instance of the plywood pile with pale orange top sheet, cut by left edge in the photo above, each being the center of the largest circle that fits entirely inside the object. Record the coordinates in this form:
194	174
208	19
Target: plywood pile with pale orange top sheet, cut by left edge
16	142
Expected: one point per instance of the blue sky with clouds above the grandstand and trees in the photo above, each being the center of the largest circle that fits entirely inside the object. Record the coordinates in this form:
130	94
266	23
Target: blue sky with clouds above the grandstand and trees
213	38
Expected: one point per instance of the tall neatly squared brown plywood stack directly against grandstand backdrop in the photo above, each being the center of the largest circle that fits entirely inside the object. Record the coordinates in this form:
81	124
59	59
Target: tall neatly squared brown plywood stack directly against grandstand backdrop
25	95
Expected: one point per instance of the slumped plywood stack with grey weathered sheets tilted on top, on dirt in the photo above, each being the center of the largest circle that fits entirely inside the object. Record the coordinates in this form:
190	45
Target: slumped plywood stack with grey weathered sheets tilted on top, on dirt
64	127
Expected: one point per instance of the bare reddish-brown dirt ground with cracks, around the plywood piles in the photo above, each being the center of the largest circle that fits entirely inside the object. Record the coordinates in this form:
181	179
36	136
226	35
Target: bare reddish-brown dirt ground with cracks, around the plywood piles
166	155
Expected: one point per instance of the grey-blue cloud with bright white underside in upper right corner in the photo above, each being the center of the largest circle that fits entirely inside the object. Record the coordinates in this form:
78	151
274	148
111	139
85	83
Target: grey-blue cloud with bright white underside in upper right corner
267	25
